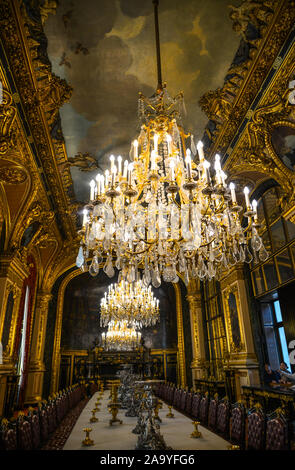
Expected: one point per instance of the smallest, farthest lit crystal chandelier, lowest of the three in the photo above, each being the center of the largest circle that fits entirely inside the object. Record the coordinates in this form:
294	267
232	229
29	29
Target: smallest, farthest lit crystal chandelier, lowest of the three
121	338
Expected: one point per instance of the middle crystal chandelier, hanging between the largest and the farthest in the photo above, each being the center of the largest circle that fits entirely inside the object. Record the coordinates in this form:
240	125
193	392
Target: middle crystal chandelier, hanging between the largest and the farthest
133	303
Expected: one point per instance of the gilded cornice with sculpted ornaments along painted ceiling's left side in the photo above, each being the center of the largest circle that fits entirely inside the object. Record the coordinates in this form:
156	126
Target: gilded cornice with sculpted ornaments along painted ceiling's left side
37	102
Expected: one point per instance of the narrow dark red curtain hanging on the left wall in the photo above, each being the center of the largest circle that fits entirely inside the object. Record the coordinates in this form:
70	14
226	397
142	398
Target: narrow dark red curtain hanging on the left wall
31	283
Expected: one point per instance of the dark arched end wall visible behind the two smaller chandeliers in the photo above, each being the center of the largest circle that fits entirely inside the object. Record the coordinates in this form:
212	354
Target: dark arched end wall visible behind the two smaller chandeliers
81	328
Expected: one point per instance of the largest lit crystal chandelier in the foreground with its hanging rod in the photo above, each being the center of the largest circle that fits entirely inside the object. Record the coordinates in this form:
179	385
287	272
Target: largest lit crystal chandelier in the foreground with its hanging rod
165	212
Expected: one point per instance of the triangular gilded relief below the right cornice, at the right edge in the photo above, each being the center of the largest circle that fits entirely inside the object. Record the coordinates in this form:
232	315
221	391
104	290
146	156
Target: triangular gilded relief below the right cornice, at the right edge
255	144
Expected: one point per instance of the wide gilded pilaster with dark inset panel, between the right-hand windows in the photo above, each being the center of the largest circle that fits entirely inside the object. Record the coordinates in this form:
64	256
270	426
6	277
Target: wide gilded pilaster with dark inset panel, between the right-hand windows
242	357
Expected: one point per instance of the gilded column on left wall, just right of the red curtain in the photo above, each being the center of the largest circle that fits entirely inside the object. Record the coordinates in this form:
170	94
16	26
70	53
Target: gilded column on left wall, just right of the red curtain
36	366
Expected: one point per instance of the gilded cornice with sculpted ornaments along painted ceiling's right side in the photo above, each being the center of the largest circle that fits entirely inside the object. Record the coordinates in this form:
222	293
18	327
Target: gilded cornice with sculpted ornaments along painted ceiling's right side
226	107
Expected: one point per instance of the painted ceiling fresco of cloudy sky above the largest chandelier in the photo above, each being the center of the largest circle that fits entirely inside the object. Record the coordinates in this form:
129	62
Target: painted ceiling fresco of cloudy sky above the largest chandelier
106	51
